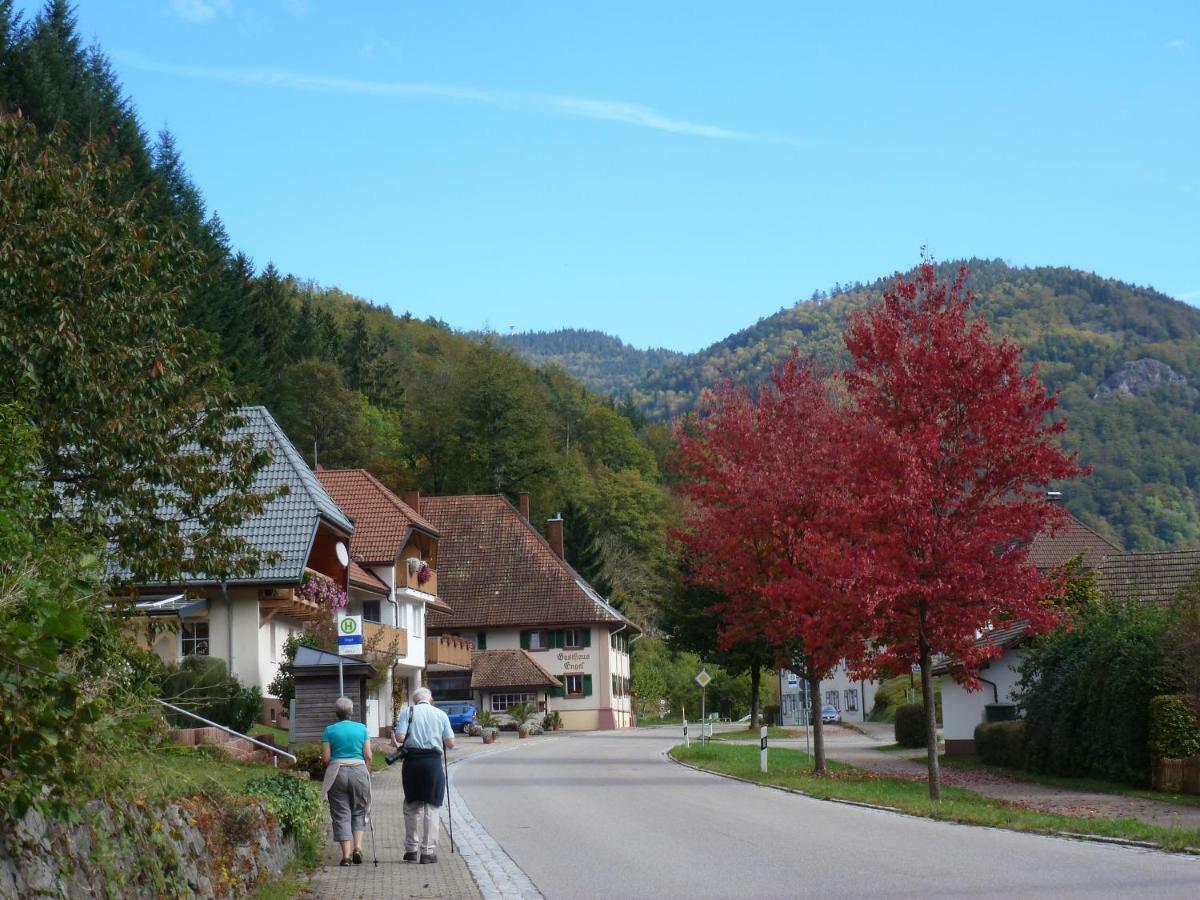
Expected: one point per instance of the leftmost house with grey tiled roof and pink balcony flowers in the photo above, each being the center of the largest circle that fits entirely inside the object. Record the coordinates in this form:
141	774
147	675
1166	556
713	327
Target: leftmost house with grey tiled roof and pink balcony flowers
245	621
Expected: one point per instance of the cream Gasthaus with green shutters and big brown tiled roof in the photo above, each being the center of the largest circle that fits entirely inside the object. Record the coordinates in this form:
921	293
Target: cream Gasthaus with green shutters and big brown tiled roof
512	590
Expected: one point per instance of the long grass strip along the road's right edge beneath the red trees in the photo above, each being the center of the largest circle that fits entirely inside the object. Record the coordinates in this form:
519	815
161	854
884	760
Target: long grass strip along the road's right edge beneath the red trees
794	770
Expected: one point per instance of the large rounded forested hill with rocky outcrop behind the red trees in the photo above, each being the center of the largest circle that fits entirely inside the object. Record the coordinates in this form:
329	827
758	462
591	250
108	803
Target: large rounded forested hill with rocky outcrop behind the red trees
1127	361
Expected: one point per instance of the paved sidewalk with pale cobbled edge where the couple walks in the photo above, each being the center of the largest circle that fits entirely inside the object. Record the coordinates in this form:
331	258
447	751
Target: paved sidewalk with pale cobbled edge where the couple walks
455	875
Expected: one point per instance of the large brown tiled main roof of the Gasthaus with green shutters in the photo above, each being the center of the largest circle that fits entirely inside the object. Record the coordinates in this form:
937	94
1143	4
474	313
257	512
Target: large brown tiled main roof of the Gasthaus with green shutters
496	571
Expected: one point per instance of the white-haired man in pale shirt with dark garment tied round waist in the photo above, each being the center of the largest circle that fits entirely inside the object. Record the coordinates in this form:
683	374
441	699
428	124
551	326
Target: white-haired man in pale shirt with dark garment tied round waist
425	733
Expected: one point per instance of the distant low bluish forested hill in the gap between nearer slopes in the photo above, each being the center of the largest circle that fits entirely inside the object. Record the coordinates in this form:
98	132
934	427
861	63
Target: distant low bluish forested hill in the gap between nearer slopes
604	363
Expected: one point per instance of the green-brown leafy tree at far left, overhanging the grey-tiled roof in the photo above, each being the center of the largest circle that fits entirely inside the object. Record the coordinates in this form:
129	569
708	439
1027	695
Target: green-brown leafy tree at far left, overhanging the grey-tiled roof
135	424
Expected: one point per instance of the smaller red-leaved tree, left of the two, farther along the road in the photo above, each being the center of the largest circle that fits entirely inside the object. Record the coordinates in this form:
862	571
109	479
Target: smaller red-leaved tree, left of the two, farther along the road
769	526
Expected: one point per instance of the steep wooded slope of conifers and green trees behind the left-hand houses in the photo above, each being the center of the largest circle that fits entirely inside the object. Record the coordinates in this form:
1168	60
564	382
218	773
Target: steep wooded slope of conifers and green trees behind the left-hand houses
351	383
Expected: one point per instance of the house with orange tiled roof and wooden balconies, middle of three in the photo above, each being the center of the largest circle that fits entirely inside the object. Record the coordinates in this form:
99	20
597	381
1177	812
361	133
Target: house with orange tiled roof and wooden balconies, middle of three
394	586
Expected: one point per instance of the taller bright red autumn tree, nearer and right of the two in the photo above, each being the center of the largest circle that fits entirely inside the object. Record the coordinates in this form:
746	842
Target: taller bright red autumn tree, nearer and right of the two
961	453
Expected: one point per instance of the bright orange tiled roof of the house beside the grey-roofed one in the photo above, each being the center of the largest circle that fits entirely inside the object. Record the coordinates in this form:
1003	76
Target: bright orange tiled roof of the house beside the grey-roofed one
382	520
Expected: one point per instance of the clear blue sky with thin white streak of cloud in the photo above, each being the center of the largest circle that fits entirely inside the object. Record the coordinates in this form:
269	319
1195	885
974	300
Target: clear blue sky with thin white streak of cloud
673	172
